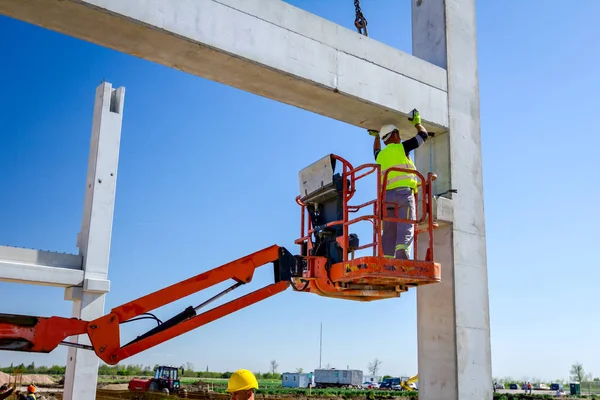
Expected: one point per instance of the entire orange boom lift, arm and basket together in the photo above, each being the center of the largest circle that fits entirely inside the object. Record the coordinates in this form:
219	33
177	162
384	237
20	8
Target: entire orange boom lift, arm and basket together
326	266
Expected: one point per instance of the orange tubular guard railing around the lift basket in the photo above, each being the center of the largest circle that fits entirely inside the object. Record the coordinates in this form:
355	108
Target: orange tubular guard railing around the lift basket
351	175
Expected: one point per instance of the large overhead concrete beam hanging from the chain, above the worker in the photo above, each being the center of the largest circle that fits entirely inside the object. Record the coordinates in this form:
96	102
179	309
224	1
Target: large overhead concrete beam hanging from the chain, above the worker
266	47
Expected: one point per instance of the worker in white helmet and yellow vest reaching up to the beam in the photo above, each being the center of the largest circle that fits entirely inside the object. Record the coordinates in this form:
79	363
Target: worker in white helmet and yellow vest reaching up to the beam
401	186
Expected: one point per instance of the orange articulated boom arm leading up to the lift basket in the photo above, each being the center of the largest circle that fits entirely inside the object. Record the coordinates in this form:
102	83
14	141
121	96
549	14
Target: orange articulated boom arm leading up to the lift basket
42	335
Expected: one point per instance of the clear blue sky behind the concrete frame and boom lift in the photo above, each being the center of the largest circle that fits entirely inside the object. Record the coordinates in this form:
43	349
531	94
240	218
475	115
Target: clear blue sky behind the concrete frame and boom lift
208	173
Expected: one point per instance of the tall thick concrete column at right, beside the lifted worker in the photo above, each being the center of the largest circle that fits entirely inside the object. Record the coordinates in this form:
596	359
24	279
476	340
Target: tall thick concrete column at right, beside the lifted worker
453	316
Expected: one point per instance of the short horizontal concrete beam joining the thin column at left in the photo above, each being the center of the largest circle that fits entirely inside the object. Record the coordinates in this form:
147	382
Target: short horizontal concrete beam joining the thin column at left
39	267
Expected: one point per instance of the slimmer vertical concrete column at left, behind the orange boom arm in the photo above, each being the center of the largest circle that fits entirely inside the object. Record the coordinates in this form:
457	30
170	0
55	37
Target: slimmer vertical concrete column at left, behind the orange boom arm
94	238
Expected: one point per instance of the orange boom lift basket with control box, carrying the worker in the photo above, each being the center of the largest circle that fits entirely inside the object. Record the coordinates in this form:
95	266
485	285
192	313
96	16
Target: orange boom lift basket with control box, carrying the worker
327	248
